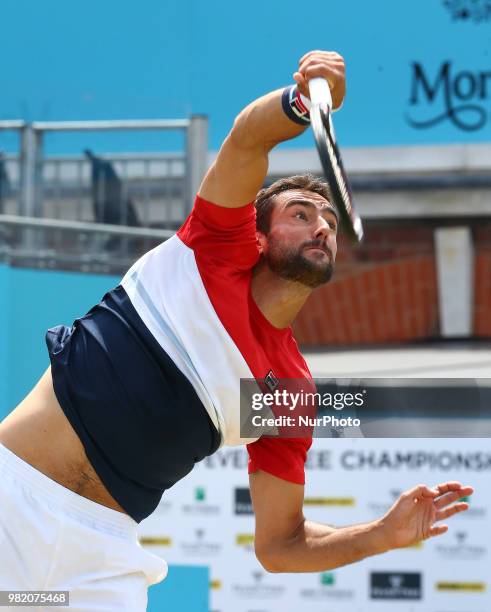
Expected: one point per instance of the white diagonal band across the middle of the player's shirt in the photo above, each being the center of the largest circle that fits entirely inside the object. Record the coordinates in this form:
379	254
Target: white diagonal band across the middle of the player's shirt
167	291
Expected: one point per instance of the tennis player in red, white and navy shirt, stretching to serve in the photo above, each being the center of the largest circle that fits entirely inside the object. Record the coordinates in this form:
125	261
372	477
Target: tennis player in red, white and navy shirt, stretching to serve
146	384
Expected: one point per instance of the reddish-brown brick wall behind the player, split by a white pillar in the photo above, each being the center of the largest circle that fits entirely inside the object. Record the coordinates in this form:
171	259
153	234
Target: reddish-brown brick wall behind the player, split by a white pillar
386	290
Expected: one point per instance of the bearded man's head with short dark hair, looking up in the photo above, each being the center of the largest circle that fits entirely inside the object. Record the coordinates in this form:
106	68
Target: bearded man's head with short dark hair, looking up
296	229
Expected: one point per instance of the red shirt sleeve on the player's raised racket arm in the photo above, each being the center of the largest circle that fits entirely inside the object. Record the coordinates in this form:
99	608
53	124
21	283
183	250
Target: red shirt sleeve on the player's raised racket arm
227	234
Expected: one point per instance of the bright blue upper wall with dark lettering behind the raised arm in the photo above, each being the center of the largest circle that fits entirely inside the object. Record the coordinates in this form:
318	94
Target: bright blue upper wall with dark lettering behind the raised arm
118	59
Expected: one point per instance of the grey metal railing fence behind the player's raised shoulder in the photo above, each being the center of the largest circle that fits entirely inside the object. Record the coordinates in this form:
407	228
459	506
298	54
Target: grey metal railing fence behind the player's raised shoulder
95	213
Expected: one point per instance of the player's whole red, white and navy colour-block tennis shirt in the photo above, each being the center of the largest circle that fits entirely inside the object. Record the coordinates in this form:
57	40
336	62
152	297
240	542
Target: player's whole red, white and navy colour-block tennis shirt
150	377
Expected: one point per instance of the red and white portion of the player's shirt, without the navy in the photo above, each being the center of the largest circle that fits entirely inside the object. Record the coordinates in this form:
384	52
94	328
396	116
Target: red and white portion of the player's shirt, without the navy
200	280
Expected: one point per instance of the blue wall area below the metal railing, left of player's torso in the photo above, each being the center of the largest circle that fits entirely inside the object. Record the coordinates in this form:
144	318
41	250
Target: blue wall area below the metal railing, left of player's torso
31	301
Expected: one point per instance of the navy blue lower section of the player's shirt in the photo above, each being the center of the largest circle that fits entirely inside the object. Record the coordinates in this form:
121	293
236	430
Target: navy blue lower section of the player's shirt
139	418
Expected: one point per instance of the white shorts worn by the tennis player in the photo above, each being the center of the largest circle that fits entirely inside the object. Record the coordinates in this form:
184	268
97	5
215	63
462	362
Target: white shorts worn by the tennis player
53	539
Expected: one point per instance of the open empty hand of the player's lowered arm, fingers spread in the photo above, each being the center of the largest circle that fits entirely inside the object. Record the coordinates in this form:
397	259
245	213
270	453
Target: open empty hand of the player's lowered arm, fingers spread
413	516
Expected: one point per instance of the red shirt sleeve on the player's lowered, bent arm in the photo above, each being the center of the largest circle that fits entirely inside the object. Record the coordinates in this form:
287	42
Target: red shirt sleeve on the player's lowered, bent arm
281	457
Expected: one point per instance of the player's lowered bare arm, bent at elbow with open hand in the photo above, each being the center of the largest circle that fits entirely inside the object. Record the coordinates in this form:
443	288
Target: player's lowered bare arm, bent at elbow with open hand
286	542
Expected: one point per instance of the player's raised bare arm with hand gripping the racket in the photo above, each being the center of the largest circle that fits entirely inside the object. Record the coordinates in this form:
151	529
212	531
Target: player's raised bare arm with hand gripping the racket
241	166
